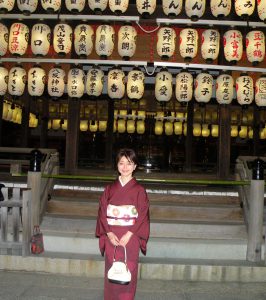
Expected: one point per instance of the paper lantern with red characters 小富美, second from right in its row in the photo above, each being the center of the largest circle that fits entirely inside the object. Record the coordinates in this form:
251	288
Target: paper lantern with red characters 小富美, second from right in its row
233	45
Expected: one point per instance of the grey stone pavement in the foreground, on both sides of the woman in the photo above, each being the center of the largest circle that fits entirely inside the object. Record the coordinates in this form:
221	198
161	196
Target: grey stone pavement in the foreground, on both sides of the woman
36	286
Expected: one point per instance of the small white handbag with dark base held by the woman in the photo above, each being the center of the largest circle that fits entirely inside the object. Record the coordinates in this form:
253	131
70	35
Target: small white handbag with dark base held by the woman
119	272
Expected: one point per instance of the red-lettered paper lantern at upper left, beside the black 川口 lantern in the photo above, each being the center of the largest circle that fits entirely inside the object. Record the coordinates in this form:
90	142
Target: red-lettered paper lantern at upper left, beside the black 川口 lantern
18	38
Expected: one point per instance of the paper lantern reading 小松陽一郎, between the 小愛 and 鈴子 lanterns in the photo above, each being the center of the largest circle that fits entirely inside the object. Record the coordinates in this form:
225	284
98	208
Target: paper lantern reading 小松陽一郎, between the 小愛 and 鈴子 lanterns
184	87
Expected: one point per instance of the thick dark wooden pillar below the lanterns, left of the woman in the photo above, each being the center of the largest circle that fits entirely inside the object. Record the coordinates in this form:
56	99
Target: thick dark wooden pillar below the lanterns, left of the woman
72	135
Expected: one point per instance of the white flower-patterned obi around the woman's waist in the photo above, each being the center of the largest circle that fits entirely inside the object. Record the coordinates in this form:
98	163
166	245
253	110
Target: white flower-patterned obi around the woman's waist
122	215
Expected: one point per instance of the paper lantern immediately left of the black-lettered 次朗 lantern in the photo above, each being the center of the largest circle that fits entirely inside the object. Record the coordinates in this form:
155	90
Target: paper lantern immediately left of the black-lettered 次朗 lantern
104	42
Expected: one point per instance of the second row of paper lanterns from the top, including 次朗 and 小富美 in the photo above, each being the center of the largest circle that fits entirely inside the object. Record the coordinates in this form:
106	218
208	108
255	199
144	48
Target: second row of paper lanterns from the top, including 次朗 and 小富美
17	43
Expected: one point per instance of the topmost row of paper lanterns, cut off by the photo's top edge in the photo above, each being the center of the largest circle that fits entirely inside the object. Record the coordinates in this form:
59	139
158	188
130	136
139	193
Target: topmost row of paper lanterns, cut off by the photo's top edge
194	9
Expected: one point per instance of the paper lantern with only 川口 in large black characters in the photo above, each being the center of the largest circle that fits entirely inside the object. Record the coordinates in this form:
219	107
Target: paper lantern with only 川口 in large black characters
40	39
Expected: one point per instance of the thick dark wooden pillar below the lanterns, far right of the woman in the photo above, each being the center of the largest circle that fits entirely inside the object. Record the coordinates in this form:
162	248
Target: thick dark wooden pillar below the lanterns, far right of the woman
224	141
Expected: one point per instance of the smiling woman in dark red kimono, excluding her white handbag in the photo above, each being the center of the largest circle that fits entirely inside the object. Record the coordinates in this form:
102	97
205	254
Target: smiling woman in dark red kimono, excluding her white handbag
123	220
